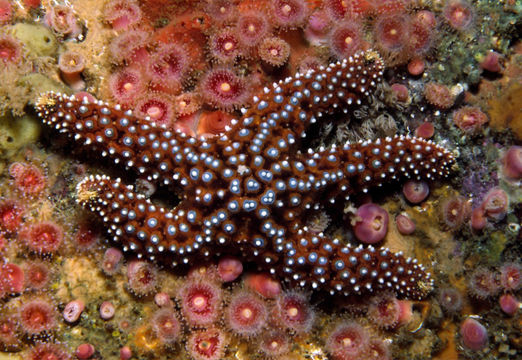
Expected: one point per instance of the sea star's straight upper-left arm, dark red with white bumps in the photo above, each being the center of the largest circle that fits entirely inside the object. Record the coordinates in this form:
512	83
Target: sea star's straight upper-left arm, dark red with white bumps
154	152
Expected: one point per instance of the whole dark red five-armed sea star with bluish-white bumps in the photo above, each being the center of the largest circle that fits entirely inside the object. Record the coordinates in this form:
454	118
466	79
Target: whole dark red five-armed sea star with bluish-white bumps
249	191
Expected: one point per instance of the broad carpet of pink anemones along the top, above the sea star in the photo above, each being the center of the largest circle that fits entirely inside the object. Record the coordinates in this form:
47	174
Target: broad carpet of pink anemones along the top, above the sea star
233	46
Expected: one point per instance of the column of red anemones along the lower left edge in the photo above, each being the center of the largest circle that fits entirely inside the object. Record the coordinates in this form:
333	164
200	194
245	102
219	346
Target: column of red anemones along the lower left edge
31	243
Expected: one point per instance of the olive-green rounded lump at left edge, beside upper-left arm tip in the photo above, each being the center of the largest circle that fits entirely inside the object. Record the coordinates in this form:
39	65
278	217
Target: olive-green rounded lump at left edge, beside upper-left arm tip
17	132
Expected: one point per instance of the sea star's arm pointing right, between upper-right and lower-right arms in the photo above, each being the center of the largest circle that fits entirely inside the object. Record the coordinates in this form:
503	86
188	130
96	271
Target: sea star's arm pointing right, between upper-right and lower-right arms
340	171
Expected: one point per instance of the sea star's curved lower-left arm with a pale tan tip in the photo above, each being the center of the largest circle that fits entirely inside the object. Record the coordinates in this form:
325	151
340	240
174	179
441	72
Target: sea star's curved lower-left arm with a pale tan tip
170	236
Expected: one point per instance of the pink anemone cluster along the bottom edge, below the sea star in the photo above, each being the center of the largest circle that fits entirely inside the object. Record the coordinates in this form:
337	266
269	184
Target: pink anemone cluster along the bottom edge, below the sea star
215	308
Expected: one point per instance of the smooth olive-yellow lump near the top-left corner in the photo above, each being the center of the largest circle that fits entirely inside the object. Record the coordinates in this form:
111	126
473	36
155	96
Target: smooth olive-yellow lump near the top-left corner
38	39
